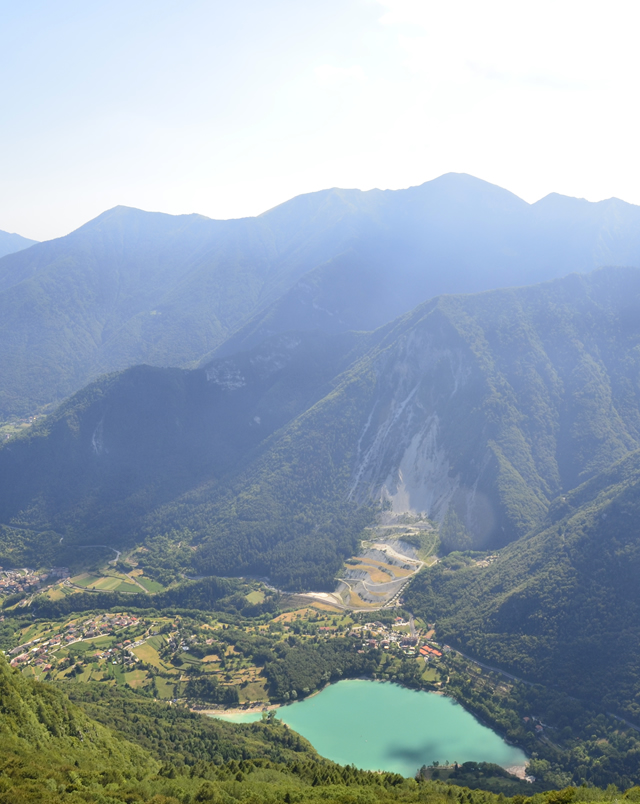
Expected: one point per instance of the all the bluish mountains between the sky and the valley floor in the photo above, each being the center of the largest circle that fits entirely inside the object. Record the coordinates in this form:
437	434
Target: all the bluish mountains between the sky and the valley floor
308	392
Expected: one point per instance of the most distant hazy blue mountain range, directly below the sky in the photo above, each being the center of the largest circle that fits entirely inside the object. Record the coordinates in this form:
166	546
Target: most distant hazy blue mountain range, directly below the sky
138	287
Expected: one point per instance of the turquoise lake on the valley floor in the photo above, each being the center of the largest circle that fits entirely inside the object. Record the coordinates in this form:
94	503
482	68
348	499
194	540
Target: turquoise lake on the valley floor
382	726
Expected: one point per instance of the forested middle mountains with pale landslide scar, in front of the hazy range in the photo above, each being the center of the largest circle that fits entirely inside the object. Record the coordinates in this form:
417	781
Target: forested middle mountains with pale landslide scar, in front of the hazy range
478	410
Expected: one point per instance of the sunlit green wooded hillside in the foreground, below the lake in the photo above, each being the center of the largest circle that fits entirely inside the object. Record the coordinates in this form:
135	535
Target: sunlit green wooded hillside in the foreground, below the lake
51	751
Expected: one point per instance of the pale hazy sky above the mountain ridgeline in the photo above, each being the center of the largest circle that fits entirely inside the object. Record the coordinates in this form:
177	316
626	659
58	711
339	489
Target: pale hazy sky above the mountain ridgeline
228	109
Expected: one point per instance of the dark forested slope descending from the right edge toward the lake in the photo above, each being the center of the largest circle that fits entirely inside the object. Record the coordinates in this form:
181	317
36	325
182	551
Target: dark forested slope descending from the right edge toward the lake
561	606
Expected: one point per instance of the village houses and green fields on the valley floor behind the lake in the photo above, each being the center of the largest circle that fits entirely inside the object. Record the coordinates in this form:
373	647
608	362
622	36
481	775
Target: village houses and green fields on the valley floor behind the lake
164	653
